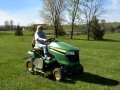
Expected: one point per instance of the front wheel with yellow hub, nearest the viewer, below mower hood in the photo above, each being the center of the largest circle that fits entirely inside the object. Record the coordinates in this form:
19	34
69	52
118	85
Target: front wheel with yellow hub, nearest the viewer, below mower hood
57	74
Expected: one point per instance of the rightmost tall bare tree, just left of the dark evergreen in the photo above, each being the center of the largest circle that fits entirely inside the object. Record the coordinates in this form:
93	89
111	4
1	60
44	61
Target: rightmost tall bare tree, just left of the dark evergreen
91	9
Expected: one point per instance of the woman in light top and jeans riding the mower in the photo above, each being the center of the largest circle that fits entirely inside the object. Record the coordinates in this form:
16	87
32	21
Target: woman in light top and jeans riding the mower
40	39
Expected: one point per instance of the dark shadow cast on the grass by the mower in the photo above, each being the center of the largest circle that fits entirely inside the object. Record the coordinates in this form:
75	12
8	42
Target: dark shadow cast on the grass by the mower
92	78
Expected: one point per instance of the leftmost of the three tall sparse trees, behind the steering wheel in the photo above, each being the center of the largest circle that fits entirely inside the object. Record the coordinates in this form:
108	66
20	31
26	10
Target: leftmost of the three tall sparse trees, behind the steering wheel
52	13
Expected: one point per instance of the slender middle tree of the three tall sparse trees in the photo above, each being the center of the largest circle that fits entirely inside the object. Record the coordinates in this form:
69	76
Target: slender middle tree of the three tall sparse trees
73	6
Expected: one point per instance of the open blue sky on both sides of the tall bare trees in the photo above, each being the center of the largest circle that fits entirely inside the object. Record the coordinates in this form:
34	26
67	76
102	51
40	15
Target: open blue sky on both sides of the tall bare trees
26	12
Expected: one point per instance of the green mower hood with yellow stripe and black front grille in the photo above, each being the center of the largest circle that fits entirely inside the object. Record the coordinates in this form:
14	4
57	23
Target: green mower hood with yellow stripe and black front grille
64	53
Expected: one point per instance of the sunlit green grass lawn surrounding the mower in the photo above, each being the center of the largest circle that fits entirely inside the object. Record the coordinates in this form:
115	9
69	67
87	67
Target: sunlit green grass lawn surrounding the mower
101	61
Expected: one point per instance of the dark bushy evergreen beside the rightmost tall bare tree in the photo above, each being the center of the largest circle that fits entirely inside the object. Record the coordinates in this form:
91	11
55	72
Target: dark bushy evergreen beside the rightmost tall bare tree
96	32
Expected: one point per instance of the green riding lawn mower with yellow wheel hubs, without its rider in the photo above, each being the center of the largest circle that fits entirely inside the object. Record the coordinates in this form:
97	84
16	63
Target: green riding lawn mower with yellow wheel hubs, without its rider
64	60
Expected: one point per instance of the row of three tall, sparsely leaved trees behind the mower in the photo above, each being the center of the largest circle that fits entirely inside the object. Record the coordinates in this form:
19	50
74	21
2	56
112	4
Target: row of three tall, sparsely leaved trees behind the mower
54	12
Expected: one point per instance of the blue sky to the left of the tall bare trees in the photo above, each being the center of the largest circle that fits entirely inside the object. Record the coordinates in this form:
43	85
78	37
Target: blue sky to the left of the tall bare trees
23	12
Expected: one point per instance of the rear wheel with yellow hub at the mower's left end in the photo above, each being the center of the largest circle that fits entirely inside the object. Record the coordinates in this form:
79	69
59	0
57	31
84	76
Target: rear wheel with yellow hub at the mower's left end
30	66
